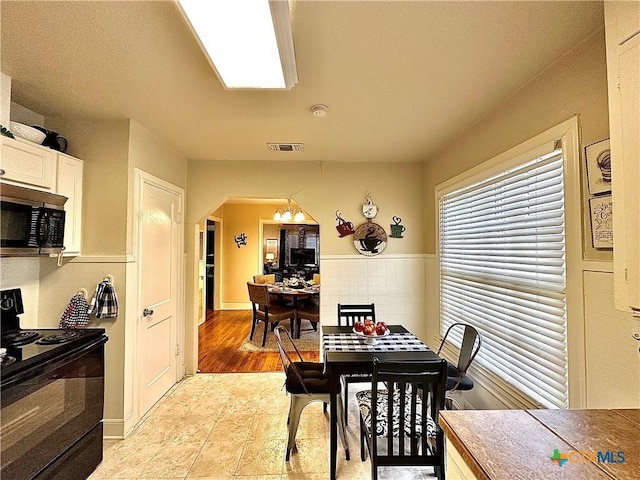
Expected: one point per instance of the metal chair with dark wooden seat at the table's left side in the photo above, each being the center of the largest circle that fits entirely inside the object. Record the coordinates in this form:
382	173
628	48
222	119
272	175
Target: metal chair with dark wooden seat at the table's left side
306	382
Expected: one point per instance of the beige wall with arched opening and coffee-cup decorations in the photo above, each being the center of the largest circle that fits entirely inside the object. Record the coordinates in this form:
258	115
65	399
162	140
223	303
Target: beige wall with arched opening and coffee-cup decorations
320	189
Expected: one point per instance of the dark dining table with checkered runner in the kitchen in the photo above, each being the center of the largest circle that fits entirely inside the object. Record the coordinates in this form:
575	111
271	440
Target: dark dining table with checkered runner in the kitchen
347	353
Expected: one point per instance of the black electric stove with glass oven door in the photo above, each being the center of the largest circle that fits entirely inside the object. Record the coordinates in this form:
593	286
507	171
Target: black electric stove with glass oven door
52	384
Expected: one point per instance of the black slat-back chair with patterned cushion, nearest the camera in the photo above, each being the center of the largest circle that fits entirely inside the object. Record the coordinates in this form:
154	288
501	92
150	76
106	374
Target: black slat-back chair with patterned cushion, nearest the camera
399	415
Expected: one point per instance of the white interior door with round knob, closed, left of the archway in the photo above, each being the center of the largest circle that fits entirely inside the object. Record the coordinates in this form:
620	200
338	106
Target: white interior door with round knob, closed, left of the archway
159	246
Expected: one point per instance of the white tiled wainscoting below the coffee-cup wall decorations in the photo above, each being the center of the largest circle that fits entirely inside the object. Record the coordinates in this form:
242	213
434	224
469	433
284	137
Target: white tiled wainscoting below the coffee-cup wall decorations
395	283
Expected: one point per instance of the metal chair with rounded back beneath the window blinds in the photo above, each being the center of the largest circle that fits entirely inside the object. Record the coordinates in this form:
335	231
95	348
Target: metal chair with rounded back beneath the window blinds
457	379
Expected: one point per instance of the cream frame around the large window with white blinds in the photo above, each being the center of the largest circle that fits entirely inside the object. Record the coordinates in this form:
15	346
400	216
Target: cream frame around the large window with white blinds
568	133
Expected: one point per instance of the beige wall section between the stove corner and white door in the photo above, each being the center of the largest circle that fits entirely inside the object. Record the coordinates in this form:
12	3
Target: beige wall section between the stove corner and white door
111	150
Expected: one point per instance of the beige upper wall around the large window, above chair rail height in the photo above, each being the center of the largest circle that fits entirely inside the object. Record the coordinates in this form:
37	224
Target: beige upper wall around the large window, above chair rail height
576	84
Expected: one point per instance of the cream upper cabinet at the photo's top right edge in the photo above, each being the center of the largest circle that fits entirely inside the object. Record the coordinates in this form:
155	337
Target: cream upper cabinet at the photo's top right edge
622	21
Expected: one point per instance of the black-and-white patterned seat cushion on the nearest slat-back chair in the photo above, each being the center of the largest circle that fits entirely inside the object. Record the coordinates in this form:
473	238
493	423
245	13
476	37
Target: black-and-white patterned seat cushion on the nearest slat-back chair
364	403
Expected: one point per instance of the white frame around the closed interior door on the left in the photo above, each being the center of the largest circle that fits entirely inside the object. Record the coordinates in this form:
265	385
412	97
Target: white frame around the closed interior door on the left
141	178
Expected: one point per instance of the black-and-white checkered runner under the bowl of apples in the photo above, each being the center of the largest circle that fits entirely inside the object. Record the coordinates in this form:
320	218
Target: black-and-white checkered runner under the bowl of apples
394	342
